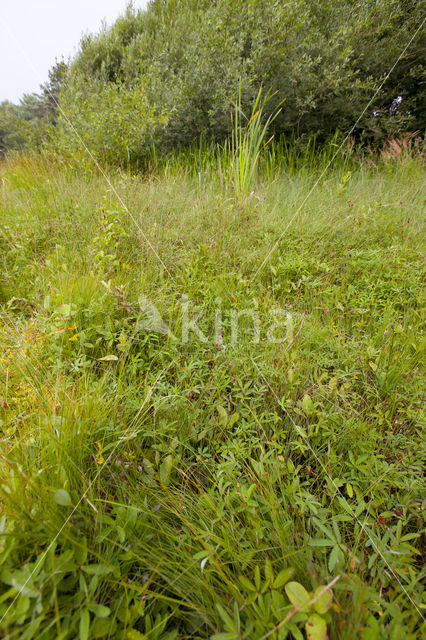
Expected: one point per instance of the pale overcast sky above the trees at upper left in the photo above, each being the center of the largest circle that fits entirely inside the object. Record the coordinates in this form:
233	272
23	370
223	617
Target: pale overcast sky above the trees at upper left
33	33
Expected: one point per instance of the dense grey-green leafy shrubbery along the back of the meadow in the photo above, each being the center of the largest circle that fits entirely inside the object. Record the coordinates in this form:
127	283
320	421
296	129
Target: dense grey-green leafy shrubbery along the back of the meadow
170	74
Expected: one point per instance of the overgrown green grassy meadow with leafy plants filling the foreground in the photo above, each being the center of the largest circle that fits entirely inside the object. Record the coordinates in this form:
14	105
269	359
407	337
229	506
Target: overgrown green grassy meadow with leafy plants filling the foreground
196	483
